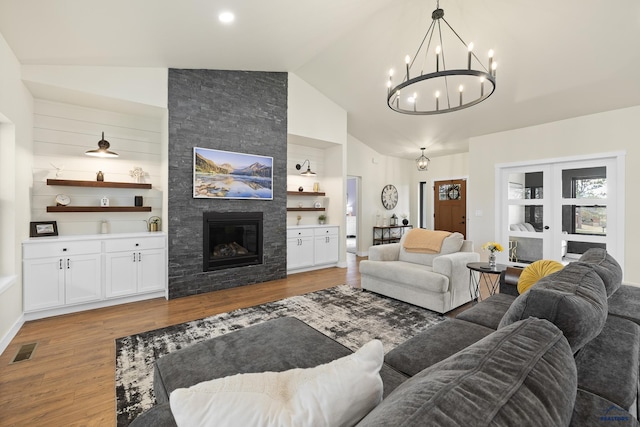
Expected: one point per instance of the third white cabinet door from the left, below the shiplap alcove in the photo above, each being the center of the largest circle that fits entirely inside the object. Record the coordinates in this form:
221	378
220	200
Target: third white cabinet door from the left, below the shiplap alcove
121	274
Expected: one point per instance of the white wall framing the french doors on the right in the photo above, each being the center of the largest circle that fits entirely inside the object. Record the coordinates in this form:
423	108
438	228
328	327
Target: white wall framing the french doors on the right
617	130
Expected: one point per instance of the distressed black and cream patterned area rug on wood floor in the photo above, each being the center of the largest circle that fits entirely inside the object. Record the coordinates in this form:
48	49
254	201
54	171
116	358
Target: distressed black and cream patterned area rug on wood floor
350	316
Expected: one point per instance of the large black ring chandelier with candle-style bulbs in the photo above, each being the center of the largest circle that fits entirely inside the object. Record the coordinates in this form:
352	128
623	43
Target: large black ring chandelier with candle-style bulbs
424	92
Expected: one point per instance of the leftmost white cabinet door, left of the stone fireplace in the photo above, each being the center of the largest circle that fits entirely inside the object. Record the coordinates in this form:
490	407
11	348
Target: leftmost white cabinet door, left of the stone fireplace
43	283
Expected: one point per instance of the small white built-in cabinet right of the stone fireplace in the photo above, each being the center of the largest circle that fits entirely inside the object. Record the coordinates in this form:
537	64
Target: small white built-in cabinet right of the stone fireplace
312	247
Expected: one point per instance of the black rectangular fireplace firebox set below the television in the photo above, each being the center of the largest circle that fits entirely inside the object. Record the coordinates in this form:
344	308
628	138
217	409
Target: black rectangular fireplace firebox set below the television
231	239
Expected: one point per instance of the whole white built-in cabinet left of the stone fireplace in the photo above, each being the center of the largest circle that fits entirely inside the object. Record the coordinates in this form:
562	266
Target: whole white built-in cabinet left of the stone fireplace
65	274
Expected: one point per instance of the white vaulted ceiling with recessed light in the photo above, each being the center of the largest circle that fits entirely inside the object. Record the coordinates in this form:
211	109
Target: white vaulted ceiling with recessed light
557	59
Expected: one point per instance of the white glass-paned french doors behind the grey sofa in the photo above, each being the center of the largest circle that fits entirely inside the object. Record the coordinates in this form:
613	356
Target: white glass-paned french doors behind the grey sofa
559	209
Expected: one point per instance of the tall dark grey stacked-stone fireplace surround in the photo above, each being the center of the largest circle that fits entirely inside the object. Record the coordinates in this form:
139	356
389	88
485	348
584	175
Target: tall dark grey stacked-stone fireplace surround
234	111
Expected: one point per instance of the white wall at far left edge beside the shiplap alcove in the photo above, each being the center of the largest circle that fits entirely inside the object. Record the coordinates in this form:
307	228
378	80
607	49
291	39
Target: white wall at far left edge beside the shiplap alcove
16	115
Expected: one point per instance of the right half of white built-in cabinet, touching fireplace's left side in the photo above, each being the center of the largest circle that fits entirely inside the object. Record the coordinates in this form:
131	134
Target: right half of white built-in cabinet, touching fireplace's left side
134	265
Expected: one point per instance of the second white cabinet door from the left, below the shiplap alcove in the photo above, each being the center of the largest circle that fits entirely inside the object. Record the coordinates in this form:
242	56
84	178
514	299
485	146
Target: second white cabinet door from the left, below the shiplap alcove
82	279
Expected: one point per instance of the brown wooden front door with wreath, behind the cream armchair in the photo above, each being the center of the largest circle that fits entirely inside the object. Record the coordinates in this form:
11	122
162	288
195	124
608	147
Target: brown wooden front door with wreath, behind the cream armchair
450	206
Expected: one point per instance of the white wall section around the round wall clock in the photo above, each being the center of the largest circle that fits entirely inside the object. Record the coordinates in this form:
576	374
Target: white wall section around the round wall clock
376	171
